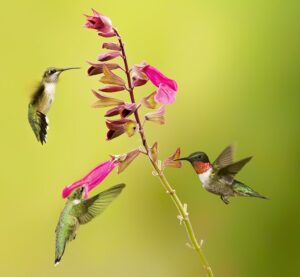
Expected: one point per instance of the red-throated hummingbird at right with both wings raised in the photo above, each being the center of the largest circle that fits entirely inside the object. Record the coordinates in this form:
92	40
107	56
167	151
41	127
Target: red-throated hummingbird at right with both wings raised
218	177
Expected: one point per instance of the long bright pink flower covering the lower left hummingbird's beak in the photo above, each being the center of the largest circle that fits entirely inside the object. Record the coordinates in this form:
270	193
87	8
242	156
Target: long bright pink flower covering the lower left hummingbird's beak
92	179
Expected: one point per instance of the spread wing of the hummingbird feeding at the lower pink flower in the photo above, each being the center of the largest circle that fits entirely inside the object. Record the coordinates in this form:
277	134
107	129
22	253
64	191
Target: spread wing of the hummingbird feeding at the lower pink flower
90	208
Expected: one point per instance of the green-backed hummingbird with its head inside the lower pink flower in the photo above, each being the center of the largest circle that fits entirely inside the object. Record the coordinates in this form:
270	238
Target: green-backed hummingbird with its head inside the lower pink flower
78	211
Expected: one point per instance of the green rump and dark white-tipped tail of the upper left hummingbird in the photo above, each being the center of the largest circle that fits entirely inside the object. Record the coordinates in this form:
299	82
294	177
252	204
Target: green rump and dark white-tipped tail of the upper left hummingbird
38	122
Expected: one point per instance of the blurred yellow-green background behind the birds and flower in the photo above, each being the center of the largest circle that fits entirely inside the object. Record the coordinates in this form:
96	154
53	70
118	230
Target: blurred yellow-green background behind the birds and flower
237	66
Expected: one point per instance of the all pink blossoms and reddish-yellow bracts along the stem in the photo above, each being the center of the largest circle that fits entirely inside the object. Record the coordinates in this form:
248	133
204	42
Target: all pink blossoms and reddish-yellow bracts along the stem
122	117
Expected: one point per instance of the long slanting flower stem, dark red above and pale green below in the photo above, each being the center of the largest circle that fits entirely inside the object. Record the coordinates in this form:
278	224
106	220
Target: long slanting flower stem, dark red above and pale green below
182	209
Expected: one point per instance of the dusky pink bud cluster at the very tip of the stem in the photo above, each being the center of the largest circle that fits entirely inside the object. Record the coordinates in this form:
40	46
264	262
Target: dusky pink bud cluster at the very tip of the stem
101	23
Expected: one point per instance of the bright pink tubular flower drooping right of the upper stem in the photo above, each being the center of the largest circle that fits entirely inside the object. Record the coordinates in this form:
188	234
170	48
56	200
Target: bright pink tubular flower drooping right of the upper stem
167	88
